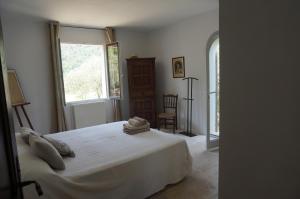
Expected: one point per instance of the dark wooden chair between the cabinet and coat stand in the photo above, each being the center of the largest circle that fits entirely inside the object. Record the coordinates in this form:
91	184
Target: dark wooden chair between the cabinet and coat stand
169	116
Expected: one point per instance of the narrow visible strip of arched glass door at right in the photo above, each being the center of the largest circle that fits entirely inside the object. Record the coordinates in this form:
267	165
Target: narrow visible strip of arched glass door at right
213	51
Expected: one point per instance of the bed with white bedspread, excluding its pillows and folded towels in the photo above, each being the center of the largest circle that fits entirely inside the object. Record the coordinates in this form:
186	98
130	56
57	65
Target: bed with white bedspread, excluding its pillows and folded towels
109	164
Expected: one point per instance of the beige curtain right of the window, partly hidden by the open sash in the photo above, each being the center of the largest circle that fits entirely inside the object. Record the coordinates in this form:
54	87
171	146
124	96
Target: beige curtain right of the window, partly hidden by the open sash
116	102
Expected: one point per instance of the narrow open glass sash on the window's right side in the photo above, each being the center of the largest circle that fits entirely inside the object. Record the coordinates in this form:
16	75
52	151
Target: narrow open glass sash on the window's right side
112	51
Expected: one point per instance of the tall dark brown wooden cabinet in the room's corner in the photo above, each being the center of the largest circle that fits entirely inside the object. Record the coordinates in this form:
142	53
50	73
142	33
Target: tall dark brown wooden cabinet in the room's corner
141	85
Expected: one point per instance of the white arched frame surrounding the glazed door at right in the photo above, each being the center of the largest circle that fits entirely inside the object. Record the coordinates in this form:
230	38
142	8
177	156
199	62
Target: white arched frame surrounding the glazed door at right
209	144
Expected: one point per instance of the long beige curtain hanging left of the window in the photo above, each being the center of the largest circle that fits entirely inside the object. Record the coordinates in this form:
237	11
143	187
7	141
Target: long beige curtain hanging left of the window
57	75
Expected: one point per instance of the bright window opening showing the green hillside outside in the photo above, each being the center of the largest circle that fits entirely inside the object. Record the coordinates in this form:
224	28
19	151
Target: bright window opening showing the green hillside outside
84	74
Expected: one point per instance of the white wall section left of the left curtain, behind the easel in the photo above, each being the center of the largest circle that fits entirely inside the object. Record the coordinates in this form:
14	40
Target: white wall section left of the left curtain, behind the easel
27	48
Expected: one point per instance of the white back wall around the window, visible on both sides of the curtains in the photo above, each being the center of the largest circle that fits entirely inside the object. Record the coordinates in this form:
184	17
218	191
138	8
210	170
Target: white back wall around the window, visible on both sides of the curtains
27	47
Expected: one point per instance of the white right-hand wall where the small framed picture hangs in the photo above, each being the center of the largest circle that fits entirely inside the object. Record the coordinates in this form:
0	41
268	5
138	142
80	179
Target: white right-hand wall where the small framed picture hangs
187	38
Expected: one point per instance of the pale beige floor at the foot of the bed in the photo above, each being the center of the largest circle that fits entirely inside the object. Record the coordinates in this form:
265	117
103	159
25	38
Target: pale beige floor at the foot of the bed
202	183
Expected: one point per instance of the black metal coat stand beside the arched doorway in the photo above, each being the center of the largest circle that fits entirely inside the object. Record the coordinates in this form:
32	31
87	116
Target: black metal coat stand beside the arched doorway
189	100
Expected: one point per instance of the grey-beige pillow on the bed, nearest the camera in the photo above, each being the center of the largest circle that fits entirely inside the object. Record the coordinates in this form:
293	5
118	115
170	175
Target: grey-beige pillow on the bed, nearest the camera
43	149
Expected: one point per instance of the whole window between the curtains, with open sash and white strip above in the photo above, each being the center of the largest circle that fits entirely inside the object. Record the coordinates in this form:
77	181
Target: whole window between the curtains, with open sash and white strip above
90	68
